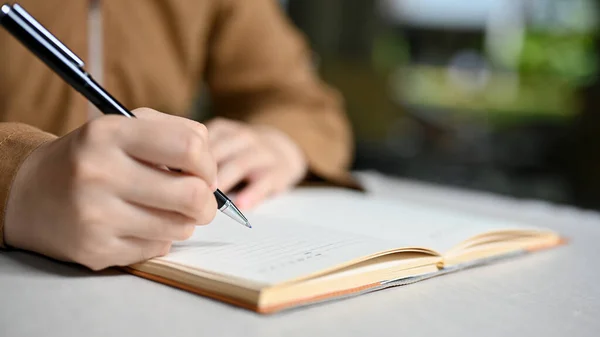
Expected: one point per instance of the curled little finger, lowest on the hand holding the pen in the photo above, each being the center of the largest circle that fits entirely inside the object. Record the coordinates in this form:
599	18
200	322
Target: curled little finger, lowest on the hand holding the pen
134	250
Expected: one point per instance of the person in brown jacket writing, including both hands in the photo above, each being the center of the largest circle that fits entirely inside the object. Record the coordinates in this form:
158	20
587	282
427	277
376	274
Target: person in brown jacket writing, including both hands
79	186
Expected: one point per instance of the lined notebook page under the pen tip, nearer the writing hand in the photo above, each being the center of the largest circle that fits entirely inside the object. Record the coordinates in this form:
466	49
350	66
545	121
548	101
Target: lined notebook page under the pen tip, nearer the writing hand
271	252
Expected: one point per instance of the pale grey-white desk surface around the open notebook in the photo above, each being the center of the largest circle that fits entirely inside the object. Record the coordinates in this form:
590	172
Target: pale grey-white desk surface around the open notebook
554	293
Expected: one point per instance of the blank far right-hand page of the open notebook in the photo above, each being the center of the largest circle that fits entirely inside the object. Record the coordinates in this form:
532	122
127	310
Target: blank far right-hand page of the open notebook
405	224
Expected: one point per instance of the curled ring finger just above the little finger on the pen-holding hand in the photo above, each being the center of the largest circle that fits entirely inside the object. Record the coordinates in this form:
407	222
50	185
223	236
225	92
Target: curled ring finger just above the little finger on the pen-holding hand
152	224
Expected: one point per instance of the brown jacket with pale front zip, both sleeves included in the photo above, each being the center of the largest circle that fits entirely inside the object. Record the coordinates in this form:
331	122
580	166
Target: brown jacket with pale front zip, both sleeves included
157	53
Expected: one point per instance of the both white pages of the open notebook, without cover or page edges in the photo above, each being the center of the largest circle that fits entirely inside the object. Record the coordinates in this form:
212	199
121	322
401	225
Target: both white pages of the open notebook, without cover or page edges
309	230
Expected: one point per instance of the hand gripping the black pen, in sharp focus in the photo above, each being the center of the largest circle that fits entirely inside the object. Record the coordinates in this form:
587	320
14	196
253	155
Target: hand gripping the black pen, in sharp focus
98	196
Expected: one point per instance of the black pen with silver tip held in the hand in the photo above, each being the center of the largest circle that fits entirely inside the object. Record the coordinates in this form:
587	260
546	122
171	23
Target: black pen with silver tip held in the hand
67	65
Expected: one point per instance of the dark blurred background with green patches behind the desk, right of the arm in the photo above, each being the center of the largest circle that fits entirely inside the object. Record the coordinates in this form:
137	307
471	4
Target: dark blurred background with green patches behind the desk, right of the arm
493	95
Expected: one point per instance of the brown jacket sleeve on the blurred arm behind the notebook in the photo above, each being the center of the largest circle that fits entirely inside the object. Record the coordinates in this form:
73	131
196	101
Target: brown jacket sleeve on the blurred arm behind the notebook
259	70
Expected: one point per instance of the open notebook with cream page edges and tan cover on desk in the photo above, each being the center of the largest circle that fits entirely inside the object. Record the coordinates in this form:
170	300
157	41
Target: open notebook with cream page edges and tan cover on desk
313	245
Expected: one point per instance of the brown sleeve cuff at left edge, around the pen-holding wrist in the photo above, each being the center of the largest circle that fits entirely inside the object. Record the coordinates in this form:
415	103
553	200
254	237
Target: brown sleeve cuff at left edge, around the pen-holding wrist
17	141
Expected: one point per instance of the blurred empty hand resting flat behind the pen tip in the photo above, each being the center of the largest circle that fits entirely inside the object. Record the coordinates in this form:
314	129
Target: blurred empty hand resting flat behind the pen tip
263	157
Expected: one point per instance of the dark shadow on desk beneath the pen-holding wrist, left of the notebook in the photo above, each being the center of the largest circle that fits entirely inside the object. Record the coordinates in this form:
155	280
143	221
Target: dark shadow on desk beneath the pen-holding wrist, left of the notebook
28	262
